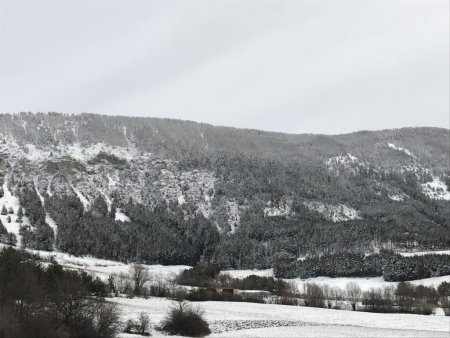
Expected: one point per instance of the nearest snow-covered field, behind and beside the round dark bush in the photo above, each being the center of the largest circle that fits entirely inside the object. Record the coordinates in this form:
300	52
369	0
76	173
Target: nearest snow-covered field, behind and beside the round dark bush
229	319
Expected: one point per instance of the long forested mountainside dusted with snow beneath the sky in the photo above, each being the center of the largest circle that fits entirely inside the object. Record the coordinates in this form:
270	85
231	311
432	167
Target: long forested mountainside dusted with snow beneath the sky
178	192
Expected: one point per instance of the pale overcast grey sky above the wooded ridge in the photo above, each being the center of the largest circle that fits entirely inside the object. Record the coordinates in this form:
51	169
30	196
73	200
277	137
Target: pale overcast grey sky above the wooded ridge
294	66
